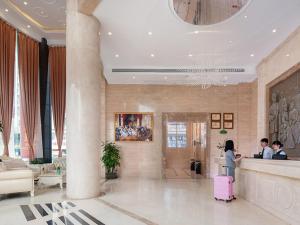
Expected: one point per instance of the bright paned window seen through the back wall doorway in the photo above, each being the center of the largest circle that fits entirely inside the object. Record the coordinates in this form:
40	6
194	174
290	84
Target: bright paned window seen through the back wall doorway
176	135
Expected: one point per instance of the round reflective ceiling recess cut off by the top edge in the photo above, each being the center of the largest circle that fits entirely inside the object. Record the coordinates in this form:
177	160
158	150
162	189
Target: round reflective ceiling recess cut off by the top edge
206	12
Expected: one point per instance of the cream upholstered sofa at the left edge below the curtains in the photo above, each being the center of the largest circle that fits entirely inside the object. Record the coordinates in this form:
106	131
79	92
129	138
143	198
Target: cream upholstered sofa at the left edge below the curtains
15	180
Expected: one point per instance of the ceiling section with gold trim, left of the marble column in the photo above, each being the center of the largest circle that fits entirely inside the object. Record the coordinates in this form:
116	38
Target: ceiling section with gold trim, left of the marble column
37	18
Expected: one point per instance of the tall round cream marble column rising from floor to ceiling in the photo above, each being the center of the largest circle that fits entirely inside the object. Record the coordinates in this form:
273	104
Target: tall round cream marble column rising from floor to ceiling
83	103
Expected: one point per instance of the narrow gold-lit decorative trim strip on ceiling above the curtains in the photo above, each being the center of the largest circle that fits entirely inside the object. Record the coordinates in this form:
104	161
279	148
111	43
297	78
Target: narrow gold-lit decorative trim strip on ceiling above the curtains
35	22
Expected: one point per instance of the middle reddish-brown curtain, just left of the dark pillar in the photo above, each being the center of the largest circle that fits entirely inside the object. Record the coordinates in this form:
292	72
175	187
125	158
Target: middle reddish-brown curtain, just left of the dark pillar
29	69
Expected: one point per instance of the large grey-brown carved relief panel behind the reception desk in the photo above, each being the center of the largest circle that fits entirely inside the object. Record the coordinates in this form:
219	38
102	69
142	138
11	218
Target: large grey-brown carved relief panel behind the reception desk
284	113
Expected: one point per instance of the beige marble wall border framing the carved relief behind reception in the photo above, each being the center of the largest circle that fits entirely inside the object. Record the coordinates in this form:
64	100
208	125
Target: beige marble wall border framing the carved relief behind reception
271	68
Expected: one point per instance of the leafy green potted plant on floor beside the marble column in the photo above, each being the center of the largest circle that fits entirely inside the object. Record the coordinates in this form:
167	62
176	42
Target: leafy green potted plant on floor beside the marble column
111	159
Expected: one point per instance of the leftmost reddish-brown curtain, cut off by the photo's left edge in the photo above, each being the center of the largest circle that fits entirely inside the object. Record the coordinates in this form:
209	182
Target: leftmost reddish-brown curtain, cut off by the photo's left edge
7	64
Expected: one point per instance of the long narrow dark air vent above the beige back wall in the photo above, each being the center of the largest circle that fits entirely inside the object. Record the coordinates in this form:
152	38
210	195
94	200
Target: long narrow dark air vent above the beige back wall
202	70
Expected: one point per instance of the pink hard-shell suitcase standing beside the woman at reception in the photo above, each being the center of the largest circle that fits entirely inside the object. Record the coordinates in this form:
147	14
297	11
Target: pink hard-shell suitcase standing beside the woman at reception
223	188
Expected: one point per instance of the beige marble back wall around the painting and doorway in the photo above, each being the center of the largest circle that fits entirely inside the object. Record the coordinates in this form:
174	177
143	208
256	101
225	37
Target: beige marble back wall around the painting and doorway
145	159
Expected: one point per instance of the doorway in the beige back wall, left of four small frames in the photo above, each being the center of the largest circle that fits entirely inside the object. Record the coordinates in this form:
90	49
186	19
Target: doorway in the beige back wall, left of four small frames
185	154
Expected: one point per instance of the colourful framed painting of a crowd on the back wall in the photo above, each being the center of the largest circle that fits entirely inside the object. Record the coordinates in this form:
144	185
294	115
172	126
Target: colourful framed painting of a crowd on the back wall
133	126
